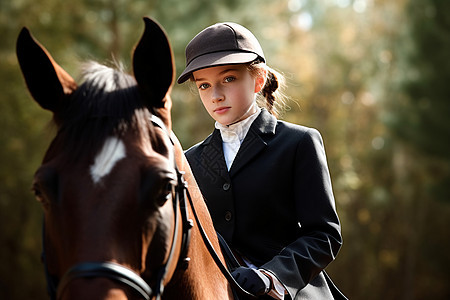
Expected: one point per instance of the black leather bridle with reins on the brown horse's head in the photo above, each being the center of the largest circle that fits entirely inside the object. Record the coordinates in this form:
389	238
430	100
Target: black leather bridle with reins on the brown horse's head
130	278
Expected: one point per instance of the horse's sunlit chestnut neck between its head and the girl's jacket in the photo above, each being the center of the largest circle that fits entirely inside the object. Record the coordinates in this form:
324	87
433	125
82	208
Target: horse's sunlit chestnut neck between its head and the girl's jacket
202	279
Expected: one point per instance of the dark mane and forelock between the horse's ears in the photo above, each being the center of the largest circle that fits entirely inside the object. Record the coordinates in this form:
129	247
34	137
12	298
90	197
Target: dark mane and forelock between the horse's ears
107	103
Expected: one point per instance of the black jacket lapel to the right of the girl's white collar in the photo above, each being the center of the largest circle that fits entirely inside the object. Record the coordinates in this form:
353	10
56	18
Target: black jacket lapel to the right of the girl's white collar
255	141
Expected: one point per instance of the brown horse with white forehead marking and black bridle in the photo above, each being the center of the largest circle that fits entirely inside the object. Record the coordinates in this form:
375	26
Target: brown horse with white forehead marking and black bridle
116	224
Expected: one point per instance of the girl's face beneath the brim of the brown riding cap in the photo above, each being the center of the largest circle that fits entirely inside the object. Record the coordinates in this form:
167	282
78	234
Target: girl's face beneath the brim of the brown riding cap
228	92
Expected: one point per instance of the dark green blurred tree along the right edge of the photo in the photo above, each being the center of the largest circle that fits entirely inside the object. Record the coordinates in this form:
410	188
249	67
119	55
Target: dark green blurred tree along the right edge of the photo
417	117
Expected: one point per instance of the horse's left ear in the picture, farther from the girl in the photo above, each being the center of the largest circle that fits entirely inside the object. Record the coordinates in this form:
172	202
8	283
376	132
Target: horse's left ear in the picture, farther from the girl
47	82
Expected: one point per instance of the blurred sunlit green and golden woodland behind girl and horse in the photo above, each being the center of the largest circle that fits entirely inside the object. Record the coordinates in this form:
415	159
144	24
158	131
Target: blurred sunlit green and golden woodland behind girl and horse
373	76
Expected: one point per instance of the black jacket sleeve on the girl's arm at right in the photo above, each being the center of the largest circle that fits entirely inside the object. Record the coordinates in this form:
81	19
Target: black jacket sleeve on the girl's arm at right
320	237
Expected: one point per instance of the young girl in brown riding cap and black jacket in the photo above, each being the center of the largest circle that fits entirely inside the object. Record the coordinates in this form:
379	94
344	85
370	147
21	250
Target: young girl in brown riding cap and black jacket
265	181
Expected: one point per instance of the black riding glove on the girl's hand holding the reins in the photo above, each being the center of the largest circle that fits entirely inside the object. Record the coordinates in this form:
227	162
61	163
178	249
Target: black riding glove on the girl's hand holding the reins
251	280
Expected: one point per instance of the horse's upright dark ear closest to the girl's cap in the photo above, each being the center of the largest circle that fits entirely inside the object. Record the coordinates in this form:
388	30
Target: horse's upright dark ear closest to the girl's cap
153	63
